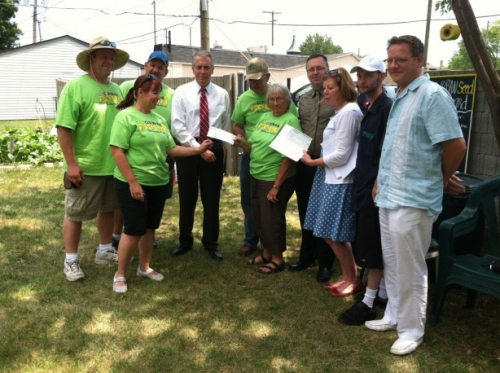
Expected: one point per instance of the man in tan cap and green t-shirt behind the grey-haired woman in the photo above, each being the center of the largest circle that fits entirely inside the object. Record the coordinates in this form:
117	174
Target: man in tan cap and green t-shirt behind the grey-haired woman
247	112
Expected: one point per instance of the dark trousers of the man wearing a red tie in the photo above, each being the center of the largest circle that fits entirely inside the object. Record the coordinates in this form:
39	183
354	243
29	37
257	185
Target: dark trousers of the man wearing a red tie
190	172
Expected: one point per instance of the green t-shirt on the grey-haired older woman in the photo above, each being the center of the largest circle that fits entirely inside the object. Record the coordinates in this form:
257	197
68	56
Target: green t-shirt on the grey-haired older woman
265	162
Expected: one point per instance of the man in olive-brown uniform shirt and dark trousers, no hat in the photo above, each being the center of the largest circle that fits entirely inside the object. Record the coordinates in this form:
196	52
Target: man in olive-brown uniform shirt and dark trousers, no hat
314	115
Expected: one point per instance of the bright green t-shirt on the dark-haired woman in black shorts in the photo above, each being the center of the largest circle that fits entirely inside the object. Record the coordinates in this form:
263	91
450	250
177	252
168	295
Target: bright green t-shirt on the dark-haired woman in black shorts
145	139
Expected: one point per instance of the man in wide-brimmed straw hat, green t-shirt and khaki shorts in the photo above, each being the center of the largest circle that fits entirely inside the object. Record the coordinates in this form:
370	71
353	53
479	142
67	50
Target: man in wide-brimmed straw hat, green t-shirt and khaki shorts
87	108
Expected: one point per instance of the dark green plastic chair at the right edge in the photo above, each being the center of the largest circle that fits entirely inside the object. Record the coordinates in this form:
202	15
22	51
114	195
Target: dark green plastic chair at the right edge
470	270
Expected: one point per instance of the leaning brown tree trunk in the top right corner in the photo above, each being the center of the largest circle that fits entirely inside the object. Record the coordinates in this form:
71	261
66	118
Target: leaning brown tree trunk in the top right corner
479	55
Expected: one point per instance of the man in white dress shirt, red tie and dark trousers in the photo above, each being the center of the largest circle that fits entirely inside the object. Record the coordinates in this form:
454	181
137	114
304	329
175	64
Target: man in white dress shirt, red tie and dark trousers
205	170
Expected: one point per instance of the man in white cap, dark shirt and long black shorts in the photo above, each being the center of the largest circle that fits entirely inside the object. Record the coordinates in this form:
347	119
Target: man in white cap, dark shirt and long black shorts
367	245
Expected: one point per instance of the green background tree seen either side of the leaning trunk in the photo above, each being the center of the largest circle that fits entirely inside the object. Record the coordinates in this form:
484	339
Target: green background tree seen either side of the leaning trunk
491	36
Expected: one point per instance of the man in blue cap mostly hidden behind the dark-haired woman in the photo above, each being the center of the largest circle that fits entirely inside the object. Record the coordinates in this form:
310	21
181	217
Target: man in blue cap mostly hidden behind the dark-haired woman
157	65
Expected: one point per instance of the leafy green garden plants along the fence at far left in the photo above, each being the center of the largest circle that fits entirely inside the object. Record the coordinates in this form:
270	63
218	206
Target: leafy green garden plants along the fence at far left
26	145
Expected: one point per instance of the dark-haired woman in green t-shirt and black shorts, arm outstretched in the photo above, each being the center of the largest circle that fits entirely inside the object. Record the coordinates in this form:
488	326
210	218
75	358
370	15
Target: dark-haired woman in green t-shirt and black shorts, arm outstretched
140	139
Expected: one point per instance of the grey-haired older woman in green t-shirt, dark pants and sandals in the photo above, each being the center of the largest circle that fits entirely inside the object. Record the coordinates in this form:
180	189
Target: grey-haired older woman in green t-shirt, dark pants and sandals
271	182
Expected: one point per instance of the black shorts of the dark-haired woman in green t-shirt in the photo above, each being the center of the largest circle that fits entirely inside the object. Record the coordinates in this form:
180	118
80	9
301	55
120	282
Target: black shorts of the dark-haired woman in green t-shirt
139	216
